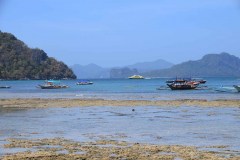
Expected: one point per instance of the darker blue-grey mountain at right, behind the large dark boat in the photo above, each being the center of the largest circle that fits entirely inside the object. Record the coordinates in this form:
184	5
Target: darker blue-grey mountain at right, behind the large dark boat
211	65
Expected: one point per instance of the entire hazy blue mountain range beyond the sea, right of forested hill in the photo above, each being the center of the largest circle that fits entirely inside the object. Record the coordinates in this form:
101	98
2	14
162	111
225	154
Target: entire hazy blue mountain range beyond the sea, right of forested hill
211	65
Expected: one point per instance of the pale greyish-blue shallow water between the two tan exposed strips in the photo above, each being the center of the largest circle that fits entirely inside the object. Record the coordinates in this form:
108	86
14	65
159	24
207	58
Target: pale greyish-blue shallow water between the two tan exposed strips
194	126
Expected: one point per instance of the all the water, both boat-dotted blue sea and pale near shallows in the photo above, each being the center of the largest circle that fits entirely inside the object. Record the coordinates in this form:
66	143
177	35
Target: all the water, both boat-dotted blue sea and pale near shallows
194	126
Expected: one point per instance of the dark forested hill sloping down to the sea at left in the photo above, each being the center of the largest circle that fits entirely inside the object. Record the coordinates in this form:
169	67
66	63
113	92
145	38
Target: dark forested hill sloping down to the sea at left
18	61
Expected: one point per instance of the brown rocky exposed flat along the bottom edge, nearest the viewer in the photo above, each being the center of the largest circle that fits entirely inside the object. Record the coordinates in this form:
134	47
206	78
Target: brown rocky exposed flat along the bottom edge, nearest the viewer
58	148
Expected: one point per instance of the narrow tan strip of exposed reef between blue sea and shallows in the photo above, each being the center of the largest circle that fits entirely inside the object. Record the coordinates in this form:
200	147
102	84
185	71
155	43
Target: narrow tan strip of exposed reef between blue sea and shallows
65	103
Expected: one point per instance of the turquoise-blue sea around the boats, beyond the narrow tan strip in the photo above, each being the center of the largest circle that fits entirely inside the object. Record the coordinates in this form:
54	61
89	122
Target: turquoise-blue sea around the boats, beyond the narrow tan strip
123	89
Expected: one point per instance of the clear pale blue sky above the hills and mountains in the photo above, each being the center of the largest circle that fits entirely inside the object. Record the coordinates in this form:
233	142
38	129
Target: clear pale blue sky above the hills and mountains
120	32
